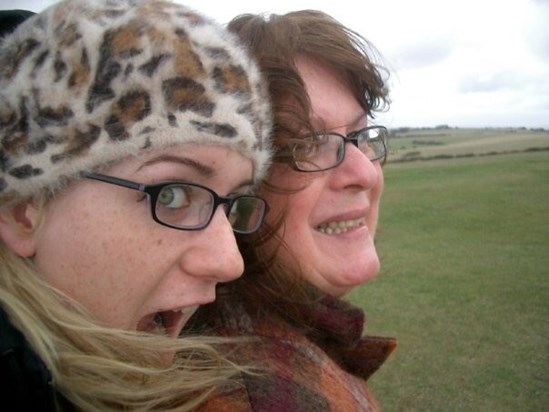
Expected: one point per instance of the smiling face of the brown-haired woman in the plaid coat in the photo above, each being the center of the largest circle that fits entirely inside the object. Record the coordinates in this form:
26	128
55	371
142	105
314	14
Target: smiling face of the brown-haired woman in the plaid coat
330	224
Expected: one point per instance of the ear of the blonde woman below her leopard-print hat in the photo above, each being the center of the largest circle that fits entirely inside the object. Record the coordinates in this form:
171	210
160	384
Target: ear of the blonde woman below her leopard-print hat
18	228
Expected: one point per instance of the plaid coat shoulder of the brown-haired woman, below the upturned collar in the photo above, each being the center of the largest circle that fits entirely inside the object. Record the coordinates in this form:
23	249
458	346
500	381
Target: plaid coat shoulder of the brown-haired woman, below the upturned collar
294	374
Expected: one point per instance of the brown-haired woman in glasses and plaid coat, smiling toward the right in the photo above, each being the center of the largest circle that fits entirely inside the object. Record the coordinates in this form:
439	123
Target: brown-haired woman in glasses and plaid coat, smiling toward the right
324	194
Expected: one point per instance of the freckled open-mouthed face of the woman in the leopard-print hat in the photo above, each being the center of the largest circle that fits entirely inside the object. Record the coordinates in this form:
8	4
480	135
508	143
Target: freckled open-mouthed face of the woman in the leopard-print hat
99	244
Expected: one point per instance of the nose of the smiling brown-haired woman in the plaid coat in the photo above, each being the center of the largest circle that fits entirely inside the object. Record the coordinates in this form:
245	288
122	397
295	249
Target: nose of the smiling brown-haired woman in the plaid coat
356	170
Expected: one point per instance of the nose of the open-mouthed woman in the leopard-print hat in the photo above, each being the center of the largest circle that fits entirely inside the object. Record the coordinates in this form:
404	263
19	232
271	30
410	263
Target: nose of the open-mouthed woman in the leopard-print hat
216	256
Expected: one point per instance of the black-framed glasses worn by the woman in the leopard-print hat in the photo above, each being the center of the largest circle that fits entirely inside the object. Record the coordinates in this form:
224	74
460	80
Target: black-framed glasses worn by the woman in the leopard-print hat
189	206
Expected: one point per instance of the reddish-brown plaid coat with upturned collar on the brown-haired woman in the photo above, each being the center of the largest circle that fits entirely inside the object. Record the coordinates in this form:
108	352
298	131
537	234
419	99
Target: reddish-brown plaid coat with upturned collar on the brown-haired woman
324	369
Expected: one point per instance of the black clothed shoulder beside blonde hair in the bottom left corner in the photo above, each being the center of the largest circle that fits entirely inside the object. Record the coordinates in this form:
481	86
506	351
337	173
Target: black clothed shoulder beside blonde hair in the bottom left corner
24	379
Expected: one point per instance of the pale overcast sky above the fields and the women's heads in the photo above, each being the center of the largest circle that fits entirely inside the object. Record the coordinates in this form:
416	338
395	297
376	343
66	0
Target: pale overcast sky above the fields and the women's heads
464	63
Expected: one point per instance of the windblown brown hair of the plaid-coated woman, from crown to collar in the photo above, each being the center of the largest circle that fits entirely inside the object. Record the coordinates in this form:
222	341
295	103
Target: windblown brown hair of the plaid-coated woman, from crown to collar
276	41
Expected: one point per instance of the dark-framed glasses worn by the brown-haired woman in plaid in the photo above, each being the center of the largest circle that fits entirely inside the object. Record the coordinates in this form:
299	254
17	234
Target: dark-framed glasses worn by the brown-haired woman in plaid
323	151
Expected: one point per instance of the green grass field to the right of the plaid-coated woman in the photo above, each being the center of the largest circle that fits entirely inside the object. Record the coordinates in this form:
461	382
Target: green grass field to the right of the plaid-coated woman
464	285
